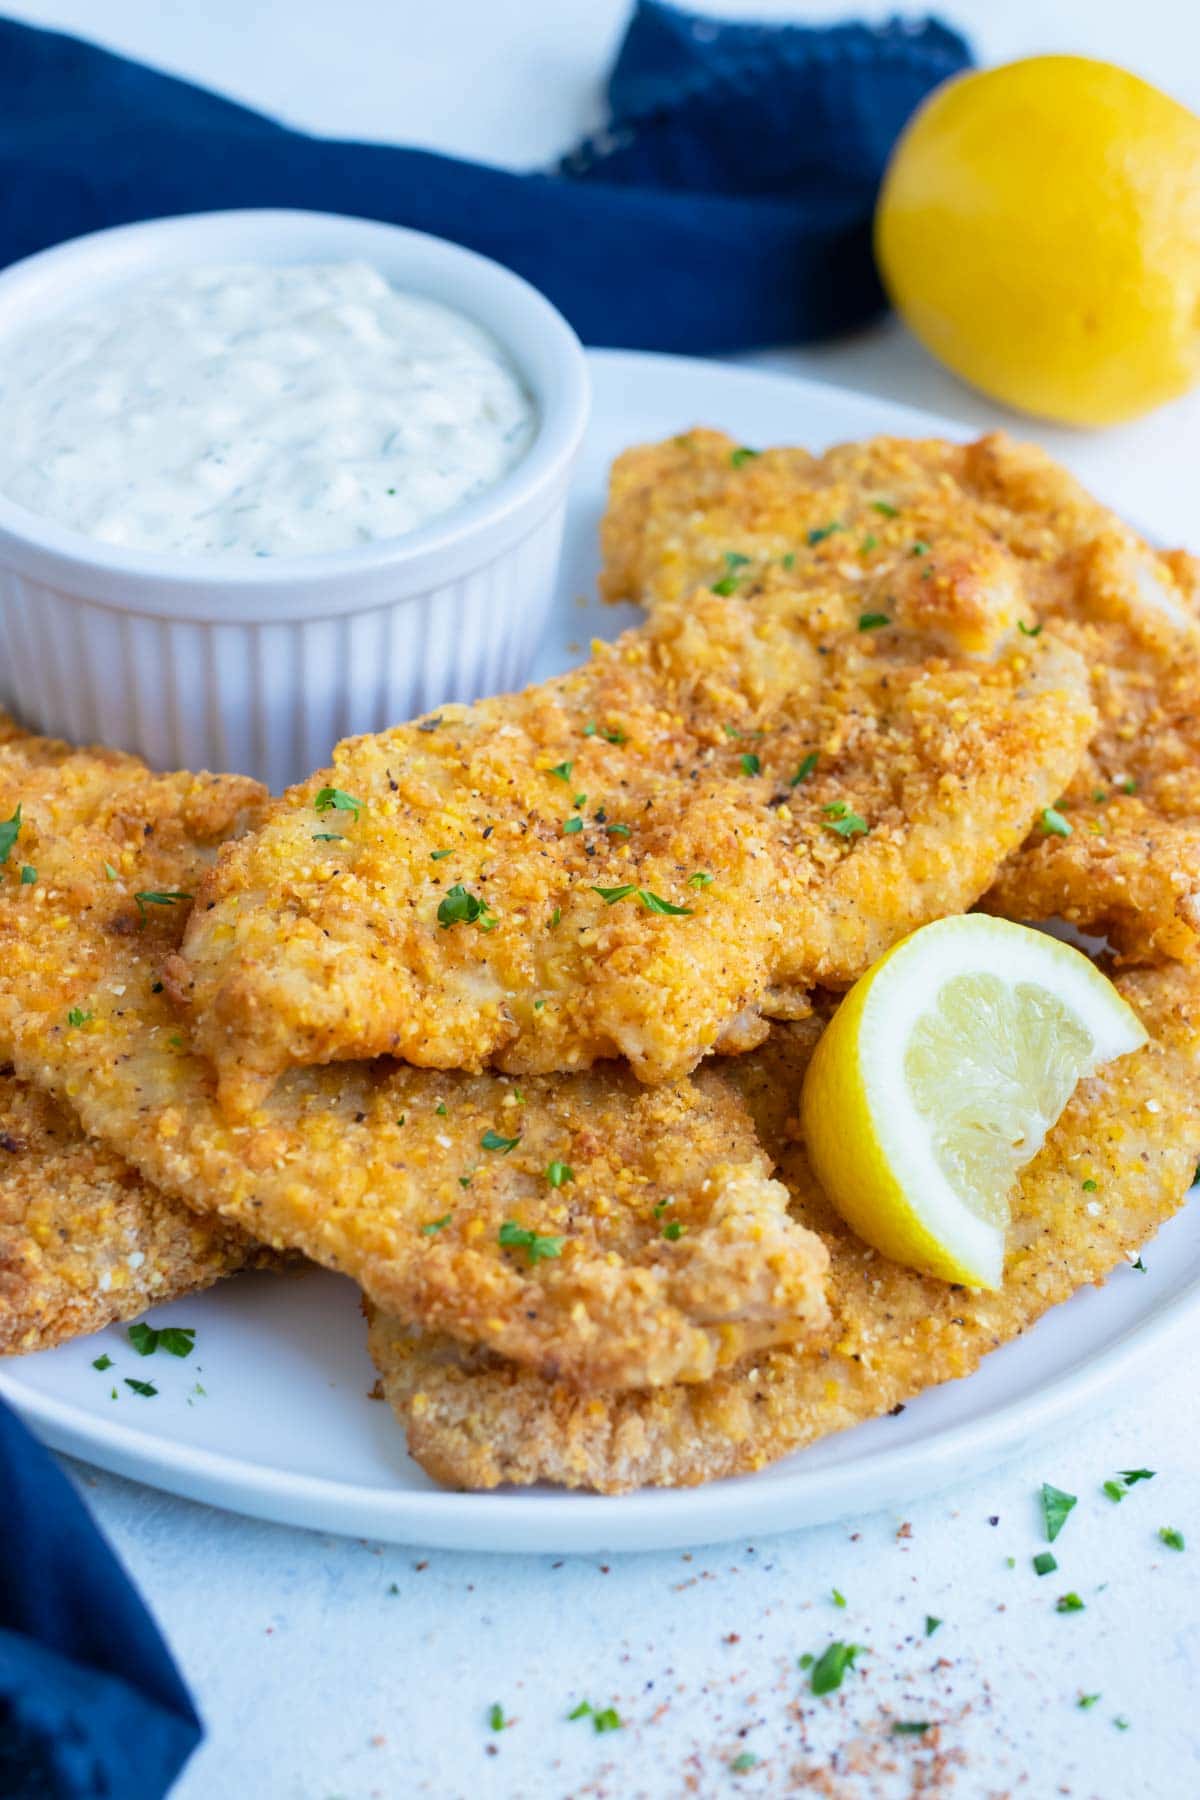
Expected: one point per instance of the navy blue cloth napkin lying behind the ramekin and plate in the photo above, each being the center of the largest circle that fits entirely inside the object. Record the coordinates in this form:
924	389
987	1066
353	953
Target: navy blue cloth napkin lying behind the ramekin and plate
726	204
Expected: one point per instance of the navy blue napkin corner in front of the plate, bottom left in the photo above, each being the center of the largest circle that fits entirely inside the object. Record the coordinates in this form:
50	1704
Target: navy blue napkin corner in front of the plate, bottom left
91	1702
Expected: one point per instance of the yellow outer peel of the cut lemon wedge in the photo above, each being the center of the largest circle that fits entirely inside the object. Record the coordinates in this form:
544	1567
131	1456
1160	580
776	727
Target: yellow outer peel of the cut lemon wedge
846	1155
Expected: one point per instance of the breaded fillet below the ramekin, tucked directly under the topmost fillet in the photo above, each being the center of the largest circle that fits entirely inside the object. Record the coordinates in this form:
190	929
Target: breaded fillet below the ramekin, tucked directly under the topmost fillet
593	1228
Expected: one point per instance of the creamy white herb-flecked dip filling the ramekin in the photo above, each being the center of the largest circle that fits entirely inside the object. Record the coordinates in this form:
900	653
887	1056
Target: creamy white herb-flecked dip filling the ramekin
249	411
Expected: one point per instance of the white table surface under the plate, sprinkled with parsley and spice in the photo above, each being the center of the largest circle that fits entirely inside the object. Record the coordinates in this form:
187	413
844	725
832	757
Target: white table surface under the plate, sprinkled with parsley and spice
346	1671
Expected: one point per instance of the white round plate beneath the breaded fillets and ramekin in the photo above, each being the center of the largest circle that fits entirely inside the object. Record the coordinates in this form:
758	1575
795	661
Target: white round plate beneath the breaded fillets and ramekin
285	1426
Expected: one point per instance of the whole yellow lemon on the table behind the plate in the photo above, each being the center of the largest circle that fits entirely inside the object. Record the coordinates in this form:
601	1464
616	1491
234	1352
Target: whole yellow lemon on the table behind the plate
1039	229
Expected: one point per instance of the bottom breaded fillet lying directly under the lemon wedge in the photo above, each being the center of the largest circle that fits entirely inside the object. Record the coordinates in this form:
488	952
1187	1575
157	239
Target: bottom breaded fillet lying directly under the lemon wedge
1133	1131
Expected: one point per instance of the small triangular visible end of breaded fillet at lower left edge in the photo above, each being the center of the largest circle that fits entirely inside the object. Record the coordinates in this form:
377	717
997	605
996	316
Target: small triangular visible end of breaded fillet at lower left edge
84	1241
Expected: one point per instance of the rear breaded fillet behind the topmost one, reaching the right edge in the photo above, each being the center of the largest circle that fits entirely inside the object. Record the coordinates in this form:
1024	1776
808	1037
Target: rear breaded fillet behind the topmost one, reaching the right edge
1127	863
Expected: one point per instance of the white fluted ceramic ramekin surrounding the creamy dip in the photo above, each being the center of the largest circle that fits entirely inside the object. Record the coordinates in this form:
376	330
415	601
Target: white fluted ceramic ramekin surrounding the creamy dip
260	667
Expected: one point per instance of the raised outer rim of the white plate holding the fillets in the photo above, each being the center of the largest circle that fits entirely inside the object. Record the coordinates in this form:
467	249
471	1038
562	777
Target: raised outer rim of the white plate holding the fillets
560	1522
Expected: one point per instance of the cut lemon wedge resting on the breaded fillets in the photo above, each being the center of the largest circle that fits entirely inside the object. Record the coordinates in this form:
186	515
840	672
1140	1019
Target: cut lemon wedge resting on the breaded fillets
940	1077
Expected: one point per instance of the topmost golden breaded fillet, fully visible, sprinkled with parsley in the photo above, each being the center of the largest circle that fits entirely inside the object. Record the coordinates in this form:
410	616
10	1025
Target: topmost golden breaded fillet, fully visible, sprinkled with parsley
638	859
